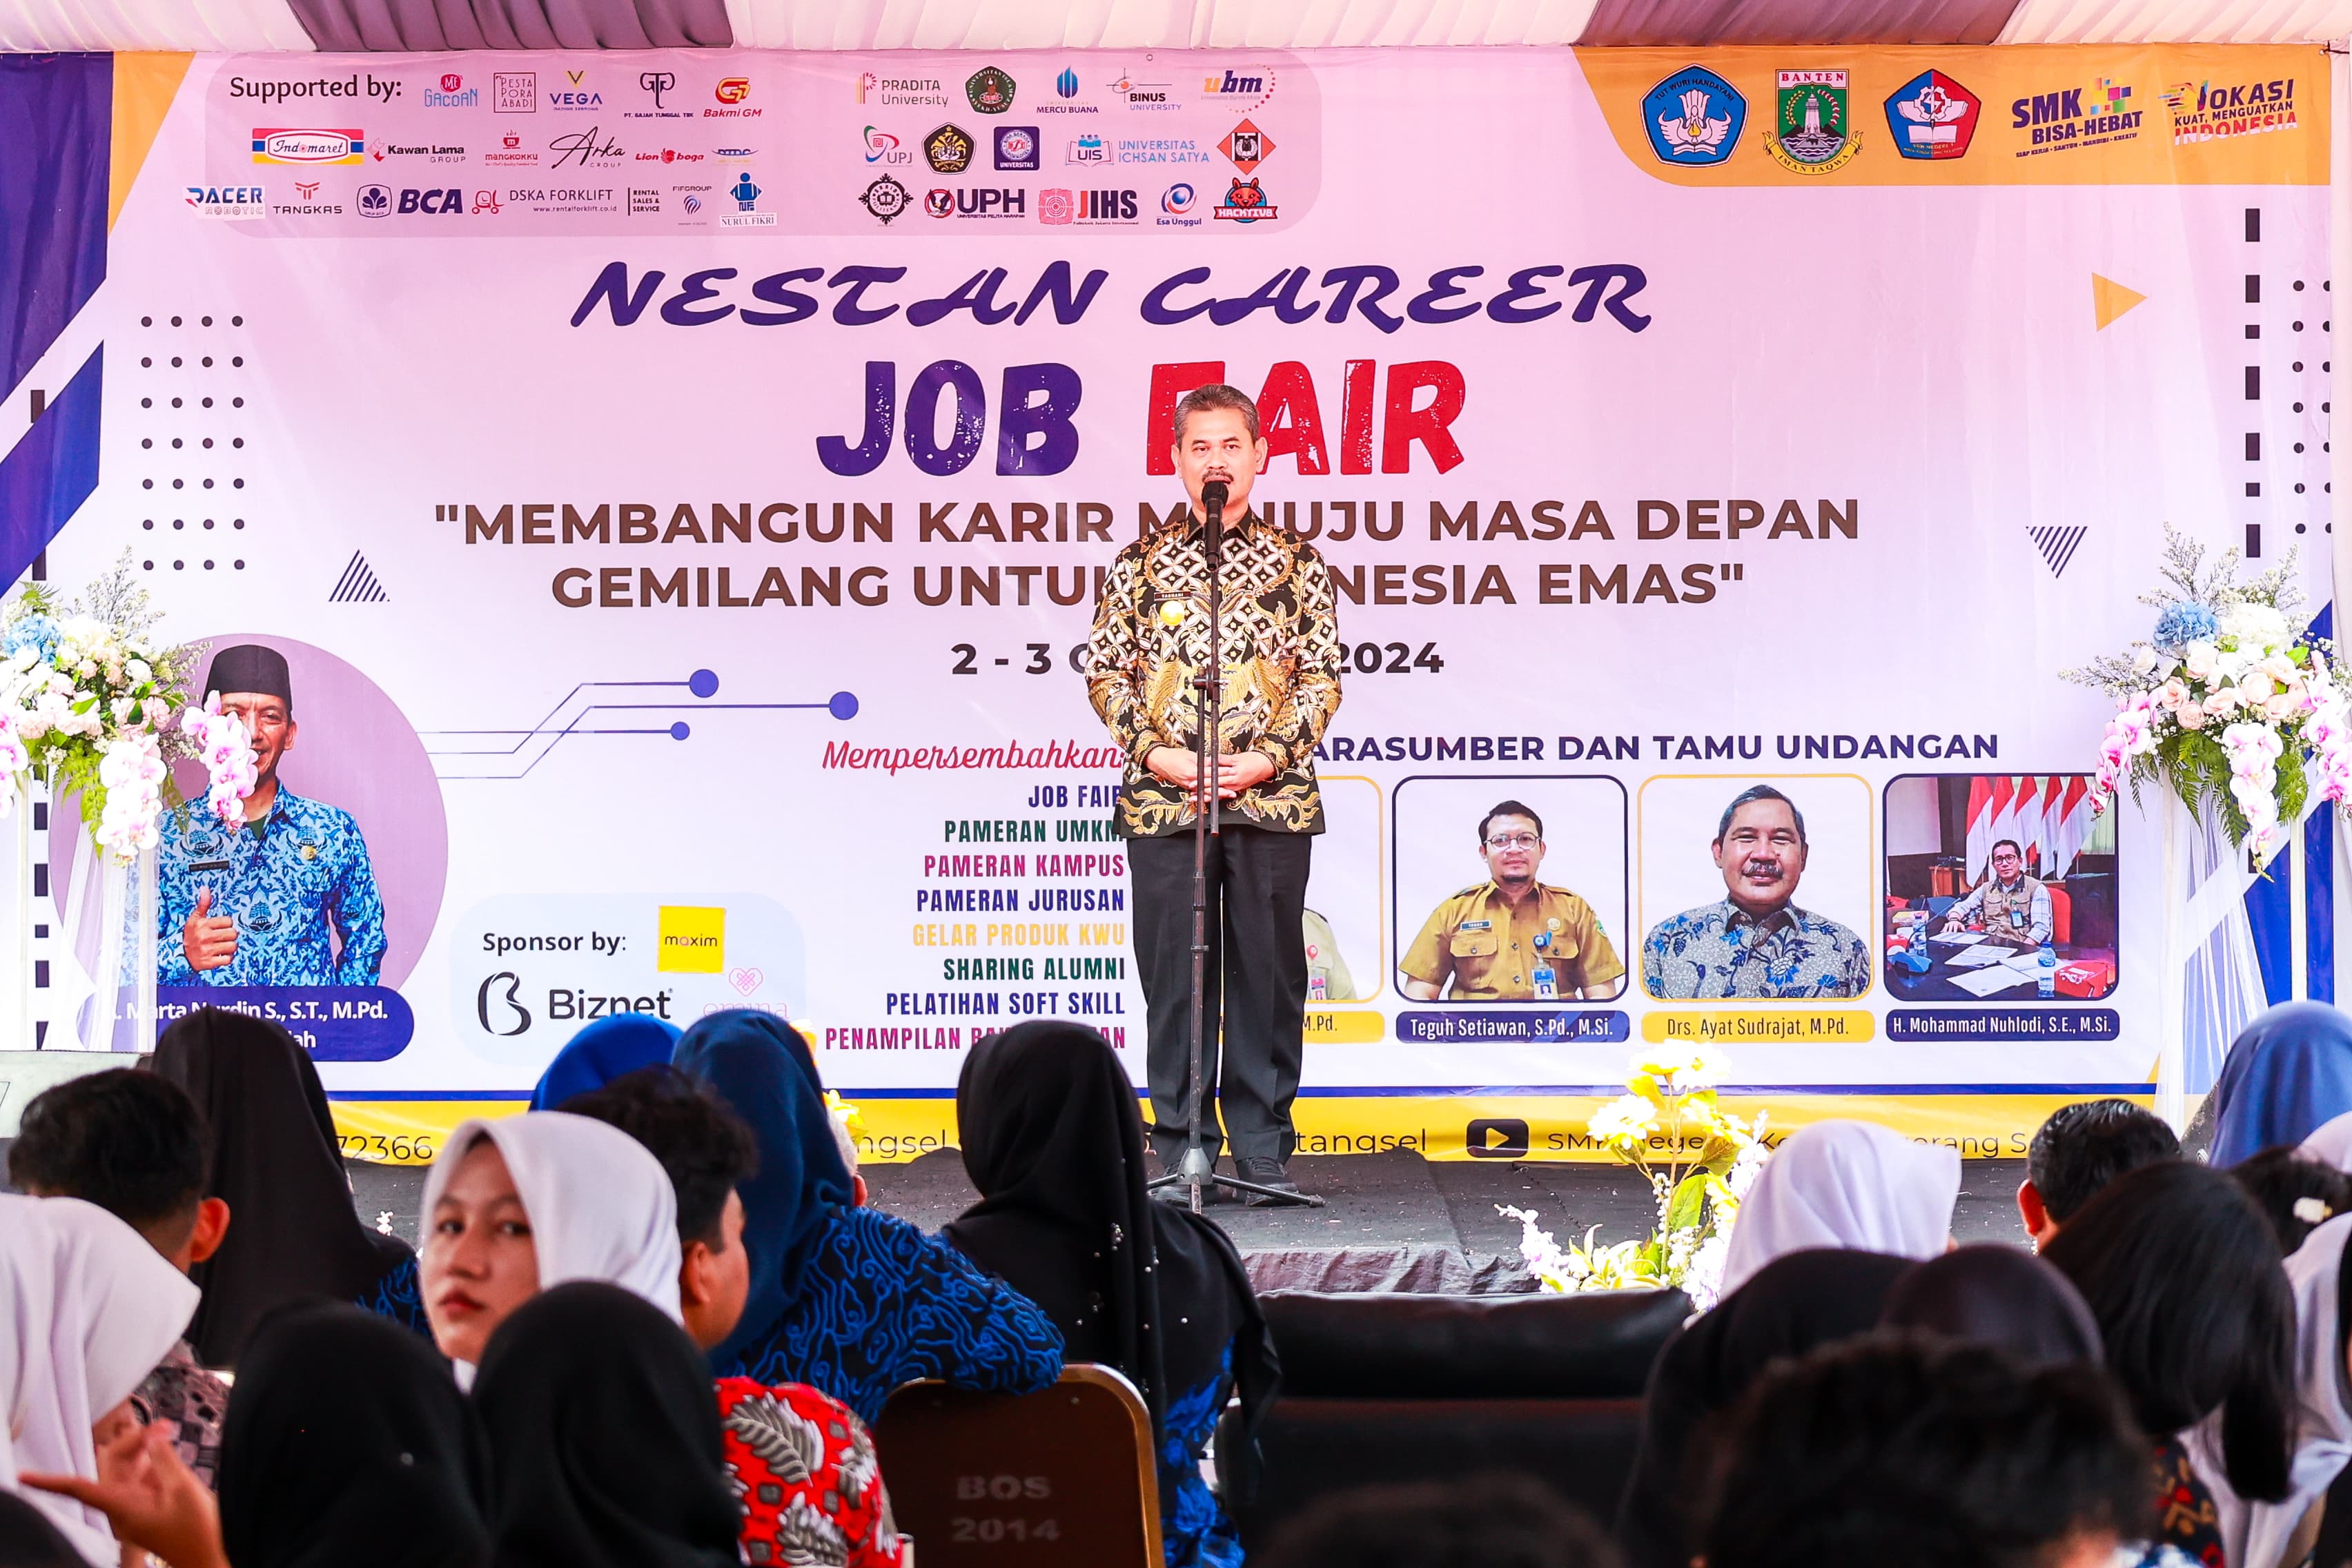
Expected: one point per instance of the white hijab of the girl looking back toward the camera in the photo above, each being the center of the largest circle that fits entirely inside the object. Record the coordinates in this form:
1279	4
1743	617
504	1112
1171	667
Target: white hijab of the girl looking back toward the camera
601	1205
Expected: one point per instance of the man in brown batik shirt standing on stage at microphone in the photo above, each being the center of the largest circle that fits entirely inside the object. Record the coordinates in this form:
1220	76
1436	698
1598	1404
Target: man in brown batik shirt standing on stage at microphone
1278	690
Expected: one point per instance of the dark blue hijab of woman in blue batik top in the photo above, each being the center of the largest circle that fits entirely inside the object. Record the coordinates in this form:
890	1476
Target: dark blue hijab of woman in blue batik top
763	1068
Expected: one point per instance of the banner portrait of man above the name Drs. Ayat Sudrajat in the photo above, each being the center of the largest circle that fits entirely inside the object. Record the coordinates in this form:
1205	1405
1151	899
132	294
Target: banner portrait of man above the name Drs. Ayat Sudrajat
1756	942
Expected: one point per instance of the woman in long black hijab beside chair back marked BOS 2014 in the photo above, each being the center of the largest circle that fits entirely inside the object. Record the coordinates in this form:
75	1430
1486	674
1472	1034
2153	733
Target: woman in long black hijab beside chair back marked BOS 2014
1055	1144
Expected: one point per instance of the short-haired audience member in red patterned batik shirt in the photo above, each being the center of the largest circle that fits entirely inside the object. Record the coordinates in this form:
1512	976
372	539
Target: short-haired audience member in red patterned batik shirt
803	1463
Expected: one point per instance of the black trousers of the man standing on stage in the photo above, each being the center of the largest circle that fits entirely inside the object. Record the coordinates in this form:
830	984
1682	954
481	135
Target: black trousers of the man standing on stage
1257	897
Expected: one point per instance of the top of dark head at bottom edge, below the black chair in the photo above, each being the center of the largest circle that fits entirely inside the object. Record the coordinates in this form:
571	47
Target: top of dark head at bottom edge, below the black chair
1490	1522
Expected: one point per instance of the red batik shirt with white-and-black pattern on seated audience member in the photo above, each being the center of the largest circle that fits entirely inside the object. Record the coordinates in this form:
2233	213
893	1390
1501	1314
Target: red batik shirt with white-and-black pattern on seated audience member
806	1473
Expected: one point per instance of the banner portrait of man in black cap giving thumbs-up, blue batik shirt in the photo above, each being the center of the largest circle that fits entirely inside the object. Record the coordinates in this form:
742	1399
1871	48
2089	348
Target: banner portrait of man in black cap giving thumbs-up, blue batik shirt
290	897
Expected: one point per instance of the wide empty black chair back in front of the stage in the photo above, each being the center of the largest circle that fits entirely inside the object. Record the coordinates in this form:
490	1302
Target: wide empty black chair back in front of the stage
1422	1388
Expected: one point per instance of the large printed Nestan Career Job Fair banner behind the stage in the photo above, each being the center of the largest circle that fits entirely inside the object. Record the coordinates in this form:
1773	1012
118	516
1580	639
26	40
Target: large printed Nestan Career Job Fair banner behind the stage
679	488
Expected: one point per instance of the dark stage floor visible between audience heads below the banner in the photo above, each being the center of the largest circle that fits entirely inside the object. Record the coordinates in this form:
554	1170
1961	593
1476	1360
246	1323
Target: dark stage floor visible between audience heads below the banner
1372	1200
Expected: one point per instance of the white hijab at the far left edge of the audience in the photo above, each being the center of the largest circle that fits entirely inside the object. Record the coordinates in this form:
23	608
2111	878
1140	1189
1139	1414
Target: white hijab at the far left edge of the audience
86	1313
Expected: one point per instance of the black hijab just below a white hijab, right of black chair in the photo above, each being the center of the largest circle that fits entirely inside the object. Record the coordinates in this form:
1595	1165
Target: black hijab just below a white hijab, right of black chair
1789	1308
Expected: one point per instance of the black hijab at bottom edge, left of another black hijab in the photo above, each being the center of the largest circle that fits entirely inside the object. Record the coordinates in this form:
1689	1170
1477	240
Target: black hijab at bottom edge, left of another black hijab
347	1442
